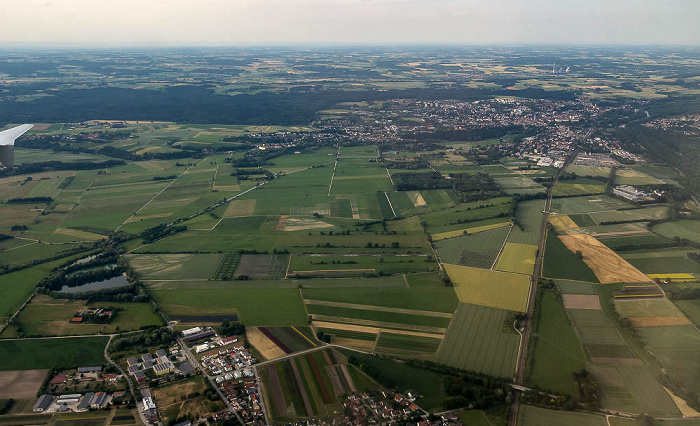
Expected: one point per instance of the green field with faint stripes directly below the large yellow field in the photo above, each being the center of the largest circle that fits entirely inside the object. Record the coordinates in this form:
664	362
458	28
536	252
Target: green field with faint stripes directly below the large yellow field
476	341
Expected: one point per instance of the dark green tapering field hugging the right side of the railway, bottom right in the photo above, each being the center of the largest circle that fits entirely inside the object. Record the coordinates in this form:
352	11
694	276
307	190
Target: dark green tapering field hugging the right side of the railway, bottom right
557	351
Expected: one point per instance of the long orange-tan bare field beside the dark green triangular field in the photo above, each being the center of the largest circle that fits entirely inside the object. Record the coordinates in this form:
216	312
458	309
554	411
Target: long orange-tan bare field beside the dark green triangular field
605	263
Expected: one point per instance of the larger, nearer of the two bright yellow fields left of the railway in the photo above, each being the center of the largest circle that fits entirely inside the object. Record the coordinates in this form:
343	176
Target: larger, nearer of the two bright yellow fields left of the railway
490	288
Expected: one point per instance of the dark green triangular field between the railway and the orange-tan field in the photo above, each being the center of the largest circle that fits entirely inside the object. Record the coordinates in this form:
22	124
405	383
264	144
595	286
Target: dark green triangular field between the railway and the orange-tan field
560	262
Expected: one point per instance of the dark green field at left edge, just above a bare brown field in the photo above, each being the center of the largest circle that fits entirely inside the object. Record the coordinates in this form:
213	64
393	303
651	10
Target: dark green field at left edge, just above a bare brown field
46	353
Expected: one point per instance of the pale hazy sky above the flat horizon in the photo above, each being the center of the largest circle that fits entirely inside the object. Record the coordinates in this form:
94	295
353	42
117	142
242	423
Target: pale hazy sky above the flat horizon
259	22
